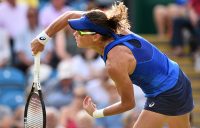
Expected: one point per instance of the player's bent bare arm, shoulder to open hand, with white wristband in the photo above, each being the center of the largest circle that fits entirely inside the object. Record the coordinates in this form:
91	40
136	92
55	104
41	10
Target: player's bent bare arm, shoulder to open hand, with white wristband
120	64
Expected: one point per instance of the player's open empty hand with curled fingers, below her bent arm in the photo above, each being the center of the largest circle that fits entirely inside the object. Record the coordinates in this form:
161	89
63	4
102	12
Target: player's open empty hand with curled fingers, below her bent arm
88	105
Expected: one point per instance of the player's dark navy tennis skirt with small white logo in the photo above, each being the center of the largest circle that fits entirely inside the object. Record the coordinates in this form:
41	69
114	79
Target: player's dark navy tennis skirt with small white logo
173	102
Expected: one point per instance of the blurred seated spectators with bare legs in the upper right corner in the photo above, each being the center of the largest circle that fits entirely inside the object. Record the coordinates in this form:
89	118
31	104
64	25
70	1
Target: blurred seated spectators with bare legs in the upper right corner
180	22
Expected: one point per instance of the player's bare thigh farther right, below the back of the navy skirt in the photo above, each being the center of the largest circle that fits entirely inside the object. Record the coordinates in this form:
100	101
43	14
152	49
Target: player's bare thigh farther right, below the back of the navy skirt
182	121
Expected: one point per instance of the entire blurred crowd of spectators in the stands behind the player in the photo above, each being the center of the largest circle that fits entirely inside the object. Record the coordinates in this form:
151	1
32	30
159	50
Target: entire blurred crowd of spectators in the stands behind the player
67	73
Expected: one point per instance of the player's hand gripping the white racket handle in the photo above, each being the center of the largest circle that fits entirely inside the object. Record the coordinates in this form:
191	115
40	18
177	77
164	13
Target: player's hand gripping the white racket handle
36	46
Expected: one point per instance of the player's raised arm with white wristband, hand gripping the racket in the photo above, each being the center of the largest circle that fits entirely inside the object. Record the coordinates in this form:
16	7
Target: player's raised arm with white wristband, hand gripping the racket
58	24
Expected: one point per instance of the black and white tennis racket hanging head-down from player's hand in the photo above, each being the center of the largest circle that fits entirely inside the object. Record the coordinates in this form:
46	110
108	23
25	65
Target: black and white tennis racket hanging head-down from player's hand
35	113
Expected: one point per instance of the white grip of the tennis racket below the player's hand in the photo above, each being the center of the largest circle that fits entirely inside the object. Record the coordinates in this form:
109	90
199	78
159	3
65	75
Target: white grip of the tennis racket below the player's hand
37	68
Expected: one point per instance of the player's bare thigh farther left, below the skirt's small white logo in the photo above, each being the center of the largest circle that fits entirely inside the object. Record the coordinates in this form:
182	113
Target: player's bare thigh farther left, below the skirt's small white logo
149	119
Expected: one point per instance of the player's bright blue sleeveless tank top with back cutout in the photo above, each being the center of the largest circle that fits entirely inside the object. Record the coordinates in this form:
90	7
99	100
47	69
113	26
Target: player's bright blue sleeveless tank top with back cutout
155	72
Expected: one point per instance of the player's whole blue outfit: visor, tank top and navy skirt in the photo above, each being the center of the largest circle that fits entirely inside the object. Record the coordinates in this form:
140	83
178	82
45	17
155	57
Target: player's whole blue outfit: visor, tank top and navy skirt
167	88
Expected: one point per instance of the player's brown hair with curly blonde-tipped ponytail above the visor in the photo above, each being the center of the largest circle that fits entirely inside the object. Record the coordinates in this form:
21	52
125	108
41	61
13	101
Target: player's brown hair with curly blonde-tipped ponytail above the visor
115	18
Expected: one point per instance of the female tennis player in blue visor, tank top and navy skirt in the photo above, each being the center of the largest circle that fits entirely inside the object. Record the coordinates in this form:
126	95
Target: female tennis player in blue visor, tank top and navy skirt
129	59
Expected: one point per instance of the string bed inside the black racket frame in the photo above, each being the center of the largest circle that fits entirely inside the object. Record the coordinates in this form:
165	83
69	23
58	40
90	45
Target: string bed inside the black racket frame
35	113
